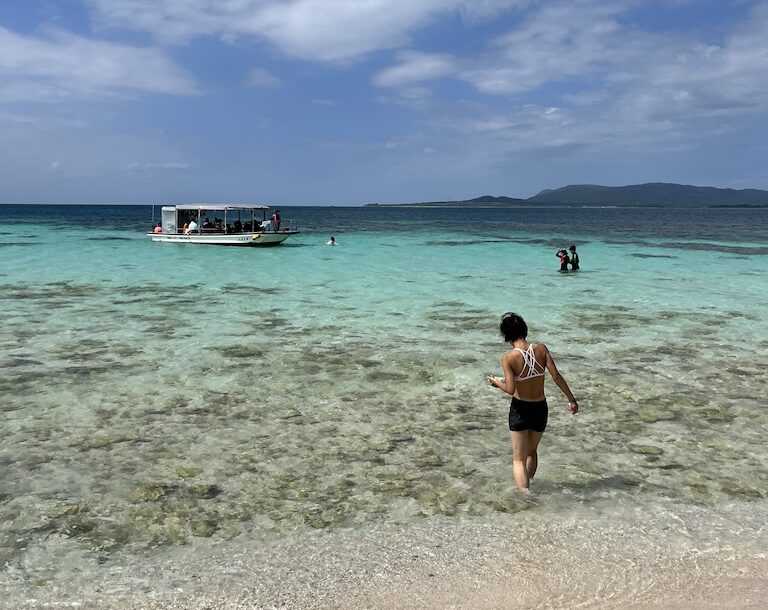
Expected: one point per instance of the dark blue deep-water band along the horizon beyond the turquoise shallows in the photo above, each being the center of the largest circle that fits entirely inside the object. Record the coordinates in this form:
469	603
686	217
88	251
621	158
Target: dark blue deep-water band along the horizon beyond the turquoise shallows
561	223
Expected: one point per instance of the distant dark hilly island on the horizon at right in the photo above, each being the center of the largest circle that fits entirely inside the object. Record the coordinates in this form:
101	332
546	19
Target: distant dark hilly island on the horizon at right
660	194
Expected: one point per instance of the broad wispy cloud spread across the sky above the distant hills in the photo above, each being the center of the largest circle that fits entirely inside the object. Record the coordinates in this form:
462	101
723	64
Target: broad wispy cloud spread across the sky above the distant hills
610	82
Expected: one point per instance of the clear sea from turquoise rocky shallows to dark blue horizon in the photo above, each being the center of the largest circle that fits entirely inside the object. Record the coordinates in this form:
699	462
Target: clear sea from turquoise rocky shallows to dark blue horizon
162	402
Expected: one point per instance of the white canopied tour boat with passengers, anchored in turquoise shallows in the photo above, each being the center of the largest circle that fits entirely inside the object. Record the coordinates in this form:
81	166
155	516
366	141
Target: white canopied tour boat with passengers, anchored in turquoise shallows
221	224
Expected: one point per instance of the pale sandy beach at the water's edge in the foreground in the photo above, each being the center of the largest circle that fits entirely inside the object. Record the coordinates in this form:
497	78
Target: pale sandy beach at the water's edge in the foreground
512	561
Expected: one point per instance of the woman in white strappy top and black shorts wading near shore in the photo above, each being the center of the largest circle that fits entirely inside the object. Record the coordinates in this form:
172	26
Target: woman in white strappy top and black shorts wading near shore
523	379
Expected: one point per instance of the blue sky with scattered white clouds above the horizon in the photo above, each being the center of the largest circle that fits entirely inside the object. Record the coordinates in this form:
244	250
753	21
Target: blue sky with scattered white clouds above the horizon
341	102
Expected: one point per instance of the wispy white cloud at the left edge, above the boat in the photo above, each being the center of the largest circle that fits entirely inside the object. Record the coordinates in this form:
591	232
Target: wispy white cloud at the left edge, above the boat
63	66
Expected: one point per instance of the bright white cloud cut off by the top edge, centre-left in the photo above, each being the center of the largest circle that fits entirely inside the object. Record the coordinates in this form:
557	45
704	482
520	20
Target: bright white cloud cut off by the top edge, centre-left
316	30
